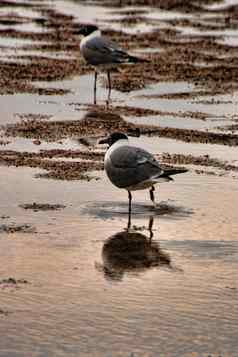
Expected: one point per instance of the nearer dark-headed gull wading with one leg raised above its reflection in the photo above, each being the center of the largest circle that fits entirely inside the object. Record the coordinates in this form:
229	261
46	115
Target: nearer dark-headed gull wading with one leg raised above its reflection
133	168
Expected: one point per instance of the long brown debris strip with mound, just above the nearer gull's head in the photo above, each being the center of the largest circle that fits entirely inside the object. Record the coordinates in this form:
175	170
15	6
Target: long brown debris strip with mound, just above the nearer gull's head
101	122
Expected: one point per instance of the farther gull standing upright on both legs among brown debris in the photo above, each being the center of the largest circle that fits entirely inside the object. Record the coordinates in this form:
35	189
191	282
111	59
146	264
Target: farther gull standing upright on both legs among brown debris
101	53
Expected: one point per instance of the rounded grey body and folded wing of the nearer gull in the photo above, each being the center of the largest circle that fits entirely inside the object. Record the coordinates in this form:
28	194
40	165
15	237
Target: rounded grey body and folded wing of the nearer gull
129	166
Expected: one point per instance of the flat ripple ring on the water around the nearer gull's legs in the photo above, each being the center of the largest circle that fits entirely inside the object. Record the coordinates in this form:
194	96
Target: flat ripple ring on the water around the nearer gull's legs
109	210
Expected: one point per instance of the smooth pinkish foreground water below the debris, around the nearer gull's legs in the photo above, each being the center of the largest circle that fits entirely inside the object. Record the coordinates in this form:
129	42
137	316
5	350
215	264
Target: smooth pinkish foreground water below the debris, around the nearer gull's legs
80	300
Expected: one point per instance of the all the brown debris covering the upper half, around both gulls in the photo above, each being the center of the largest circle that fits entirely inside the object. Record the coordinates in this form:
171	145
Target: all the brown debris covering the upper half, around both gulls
206	62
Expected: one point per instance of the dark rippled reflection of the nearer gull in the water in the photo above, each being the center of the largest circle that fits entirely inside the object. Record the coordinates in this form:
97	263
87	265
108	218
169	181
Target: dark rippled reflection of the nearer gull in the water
130	251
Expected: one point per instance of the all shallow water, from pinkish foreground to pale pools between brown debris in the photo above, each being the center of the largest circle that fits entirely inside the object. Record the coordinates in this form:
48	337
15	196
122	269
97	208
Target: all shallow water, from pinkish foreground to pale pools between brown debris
175	295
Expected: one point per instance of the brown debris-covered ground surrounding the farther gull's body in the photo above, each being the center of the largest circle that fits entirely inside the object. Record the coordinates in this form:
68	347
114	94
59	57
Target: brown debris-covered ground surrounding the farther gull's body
180	58
